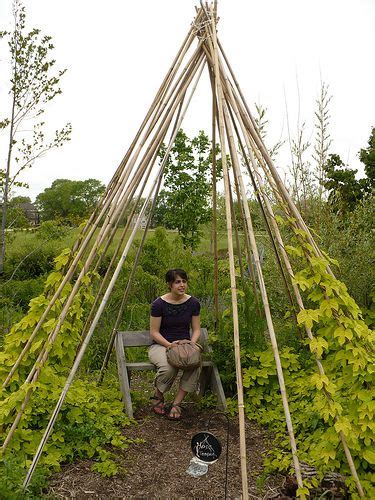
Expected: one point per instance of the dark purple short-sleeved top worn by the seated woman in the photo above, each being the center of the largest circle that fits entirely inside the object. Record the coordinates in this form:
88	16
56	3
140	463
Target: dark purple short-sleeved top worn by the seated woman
175	318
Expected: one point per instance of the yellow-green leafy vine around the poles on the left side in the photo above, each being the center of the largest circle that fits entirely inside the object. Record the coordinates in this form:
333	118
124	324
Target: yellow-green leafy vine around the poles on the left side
90	417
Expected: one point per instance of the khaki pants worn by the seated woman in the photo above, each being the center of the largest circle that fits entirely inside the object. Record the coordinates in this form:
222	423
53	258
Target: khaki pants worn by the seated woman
166	373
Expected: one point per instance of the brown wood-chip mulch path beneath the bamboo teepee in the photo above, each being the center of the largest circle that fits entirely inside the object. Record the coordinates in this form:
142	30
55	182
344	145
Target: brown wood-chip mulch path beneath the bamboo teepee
156	466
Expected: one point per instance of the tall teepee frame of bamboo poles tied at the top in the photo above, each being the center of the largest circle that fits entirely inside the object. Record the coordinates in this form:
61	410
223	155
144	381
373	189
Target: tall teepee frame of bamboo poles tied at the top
139	175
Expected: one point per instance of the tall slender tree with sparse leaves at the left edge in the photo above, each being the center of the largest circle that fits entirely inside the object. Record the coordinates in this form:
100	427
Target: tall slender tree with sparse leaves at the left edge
32	85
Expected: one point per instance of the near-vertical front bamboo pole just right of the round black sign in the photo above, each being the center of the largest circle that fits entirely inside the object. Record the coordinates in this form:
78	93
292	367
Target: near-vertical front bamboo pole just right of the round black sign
220	122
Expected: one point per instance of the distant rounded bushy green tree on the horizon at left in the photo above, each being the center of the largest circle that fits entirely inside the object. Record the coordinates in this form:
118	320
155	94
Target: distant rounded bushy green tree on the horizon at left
70	201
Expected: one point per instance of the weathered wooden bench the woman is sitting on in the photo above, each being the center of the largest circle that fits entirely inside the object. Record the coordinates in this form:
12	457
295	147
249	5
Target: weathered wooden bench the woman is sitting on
209	376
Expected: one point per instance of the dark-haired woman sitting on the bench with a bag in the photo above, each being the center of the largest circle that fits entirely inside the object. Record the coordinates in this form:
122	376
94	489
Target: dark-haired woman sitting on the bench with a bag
172	315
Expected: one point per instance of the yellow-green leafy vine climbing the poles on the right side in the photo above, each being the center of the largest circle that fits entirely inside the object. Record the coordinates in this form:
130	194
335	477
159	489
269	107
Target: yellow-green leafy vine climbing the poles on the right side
321	406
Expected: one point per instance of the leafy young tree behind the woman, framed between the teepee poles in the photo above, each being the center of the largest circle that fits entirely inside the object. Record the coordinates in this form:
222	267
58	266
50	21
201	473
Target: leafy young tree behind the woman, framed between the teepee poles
184	202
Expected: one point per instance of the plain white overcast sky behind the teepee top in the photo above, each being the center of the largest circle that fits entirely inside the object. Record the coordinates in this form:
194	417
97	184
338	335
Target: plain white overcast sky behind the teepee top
117	53
